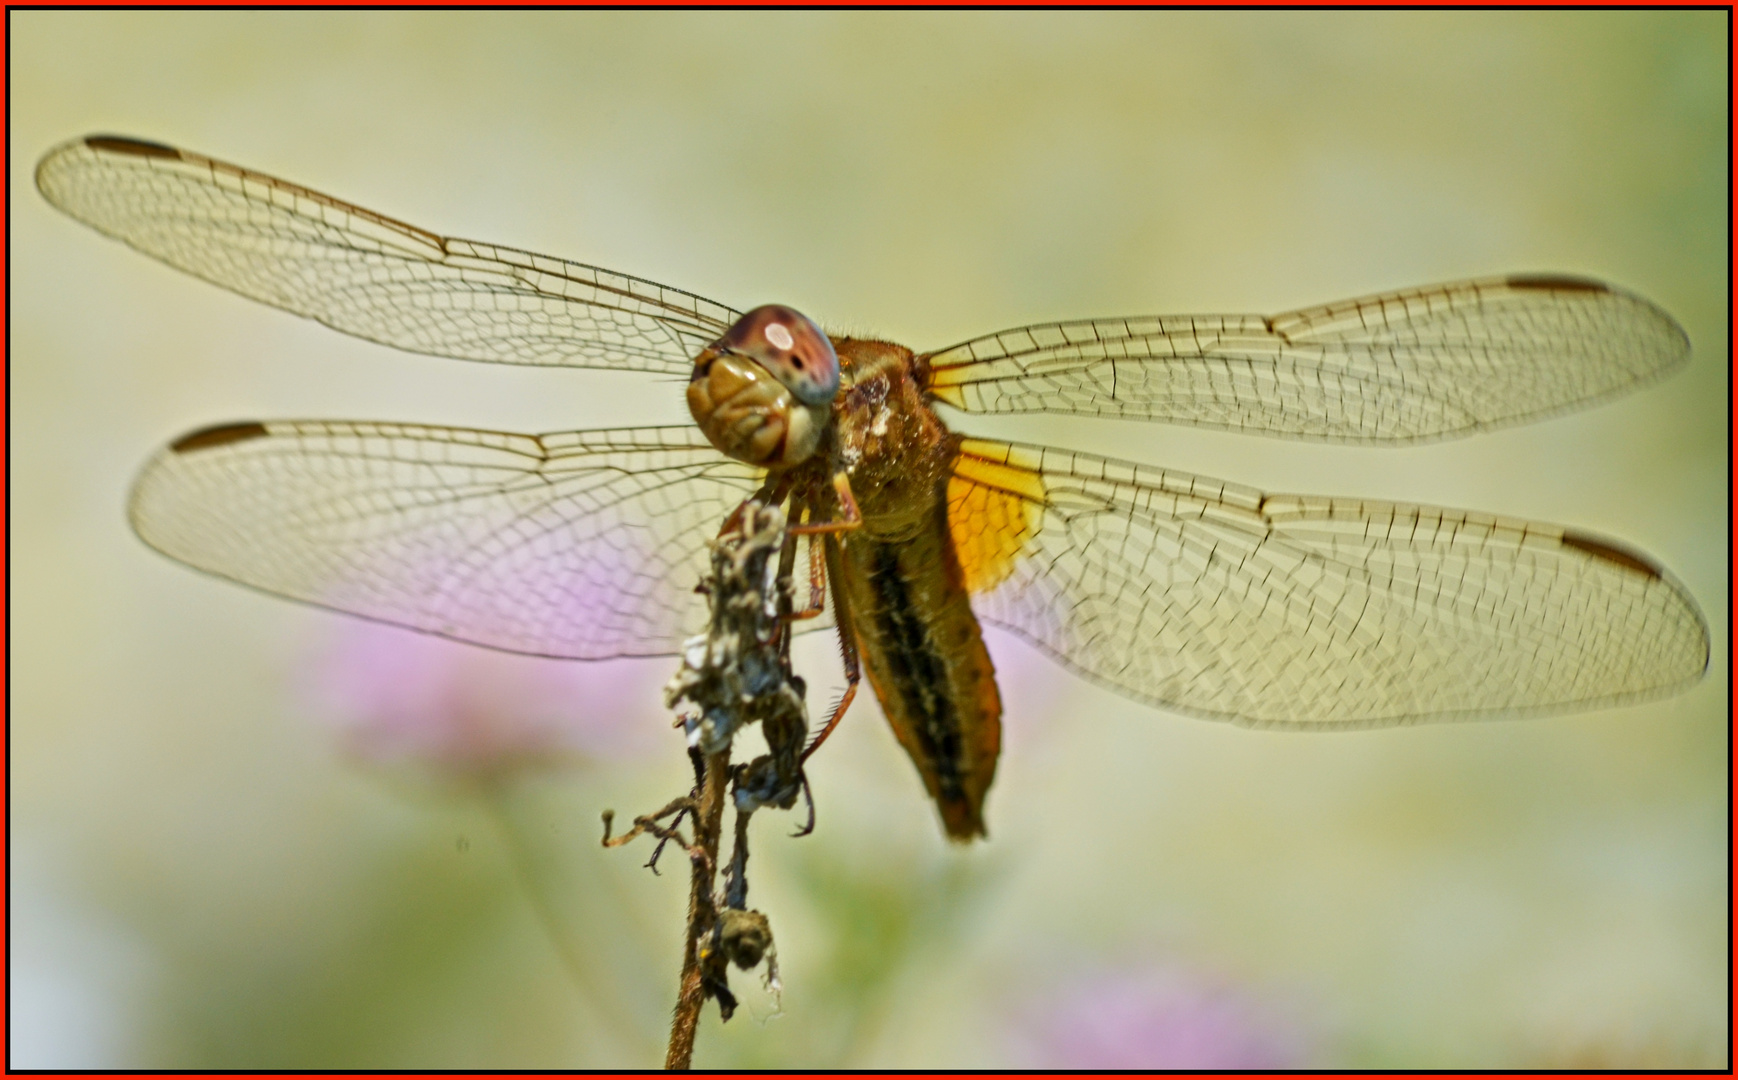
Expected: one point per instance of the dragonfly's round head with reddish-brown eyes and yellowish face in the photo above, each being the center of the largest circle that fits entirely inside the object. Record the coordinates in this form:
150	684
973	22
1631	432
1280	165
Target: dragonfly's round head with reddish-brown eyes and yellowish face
764	392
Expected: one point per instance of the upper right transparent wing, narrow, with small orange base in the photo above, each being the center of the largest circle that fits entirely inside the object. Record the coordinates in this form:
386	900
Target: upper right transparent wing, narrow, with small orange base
1398	368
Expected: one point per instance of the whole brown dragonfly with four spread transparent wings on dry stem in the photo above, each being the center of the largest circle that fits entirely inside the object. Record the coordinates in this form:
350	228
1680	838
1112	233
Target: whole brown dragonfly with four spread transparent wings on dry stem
1197	596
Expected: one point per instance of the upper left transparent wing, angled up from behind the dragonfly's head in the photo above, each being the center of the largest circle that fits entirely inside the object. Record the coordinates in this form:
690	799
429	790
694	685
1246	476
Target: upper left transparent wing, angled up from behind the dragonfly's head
369	276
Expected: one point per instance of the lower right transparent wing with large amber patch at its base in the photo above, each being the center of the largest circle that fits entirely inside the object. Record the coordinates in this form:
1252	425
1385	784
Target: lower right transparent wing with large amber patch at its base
1301	611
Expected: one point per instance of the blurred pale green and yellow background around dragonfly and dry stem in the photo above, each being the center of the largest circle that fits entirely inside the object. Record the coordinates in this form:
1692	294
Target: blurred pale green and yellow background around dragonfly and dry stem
248	834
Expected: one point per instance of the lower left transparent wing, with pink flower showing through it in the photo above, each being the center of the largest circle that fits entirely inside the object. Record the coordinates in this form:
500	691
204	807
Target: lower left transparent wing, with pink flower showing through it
578	545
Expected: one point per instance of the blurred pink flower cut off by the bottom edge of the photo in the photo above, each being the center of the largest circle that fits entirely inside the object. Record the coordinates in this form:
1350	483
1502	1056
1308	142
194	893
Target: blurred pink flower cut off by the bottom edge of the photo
1157	1018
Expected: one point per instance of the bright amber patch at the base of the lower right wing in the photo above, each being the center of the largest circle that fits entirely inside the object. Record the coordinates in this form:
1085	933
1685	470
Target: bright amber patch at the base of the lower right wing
995	509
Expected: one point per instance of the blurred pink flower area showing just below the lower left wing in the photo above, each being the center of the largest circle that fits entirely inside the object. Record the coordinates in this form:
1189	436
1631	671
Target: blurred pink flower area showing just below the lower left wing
406	698
